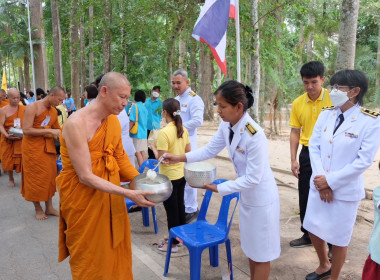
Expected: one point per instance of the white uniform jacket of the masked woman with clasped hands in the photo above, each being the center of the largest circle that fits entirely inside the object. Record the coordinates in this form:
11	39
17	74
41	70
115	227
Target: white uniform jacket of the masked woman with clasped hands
344	156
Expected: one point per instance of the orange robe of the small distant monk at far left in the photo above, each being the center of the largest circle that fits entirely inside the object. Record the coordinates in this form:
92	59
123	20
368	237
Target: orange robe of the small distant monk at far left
11	149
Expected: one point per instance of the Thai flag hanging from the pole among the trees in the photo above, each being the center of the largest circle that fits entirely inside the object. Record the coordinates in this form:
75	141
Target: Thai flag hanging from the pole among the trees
211	28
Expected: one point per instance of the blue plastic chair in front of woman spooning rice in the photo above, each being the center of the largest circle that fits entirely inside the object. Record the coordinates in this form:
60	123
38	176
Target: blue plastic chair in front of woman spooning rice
201	235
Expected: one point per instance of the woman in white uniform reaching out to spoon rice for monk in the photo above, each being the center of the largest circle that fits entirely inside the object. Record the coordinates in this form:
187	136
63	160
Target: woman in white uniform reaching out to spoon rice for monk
248	149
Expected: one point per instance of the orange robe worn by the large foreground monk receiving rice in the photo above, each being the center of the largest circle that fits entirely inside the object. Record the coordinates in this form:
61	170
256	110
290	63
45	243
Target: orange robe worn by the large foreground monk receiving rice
94	226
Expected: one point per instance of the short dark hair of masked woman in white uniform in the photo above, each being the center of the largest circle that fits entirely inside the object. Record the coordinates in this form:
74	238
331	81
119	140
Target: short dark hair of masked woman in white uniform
351	78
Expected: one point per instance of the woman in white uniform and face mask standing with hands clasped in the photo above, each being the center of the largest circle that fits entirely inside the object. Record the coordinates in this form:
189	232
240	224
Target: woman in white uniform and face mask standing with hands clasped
343	145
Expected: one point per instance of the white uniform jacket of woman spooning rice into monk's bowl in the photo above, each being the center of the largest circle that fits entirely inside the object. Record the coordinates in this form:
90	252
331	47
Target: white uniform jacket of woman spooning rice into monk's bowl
249	155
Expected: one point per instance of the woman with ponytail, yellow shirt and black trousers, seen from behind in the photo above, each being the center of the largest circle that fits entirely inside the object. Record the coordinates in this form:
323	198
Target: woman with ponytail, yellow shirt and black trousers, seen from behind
174	139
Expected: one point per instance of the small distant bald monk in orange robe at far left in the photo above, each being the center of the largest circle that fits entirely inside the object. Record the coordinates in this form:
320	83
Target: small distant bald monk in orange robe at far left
11	116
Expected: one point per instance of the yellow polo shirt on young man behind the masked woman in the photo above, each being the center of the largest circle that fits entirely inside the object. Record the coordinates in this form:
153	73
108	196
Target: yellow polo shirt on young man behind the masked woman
305	113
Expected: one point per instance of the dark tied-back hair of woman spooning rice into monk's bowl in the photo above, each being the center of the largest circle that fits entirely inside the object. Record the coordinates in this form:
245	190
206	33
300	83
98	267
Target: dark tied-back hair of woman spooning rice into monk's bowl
234	92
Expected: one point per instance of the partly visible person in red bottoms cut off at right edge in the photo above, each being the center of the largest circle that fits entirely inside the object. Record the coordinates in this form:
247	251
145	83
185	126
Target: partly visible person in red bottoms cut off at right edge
371	268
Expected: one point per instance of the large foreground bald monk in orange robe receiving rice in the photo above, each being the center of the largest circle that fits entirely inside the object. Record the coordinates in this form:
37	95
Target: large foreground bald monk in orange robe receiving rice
94	226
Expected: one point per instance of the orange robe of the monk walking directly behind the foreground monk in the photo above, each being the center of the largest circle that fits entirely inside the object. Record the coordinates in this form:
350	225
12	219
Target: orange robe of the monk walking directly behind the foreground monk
39	168
